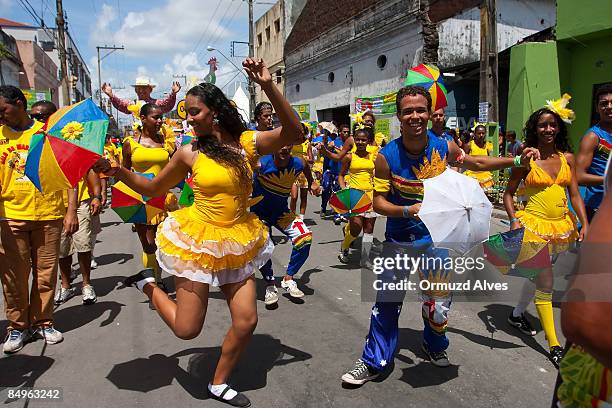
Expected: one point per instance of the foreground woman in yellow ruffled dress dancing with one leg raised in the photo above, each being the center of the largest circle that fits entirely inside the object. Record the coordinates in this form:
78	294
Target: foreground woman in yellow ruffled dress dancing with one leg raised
216	241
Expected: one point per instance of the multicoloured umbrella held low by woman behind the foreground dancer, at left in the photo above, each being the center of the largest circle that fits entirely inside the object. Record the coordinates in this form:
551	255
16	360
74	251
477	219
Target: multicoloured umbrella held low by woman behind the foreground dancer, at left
133	207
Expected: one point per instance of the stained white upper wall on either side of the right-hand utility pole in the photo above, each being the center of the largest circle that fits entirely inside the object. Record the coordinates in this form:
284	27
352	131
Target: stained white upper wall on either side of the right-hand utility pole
460	35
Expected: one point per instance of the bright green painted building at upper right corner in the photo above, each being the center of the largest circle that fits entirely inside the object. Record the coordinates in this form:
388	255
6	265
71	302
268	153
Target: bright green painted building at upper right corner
576	62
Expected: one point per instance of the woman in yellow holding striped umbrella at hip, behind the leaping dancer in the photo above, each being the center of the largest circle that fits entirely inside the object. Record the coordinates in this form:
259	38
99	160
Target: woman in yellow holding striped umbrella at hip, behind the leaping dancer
149	152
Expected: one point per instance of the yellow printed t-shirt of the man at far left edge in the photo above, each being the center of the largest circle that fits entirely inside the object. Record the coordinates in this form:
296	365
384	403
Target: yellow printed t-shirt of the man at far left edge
19	198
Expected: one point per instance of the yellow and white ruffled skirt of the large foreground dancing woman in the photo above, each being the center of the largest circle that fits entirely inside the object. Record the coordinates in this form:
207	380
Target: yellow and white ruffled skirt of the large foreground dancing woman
209	253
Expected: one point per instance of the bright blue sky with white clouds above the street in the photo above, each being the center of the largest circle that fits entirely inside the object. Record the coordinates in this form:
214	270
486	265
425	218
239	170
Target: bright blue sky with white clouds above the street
162	38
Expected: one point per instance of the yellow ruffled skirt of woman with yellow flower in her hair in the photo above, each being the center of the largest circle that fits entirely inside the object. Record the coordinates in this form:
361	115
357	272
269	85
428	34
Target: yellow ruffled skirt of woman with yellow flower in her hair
560	233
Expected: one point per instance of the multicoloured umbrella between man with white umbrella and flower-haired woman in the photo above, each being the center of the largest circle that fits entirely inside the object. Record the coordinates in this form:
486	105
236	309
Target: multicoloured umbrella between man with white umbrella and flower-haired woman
513	256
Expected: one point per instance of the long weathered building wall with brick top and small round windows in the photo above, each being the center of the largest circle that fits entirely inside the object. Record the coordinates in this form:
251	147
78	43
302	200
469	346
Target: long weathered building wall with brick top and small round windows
350	51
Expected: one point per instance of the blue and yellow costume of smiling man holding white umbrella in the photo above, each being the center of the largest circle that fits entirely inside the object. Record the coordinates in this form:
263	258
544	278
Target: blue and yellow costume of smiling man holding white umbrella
407	235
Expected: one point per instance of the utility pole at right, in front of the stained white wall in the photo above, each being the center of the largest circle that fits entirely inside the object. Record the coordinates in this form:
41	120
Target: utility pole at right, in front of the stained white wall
488	59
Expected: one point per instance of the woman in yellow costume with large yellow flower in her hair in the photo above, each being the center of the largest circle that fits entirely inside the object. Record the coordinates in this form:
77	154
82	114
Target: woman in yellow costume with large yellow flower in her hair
546	217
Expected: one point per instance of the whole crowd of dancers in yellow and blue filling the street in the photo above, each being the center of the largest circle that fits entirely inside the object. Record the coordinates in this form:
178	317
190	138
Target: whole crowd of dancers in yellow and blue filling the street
247	181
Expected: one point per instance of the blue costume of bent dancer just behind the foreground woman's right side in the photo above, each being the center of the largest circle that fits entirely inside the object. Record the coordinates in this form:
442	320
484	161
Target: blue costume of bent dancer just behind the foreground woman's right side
273	184
